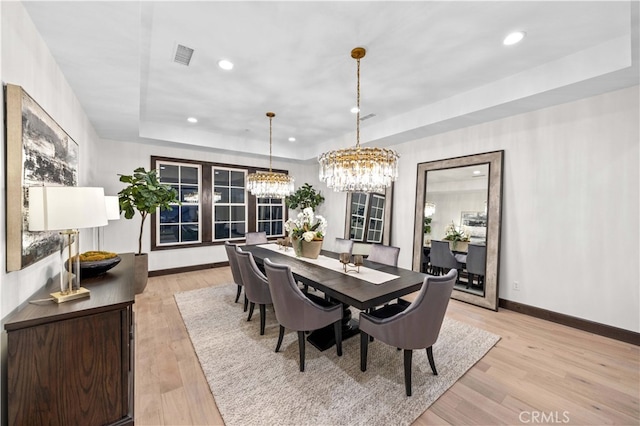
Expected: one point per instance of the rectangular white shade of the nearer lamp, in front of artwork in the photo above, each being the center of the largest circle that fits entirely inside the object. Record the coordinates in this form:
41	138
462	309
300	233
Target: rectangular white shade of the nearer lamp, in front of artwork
55	208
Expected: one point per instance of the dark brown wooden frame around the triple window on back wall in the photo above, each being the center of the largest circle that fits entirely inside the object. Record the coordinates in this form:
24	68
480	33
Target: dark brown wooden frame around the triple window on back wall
206	203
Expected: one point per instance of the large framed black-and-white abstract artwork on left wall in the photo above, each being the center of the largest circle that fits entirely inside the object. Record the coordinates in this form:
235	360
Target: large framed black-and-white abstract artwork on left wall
39	152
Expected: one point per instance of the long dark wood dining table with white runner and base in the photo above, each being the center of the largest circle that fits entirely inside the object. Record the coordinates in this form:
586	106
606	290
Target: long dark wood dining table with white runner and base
364	287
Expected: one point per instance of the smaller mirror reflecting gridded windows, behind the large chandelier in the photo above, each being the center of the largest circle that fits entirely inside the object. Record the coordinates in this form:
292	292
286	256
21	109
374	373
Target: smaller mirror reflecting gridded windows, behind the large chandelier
368	219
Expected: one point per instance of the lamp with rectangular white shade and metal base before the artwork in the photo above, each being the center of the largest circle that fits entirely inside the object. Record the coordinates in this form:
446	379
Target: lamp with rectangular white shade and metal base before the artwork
67	209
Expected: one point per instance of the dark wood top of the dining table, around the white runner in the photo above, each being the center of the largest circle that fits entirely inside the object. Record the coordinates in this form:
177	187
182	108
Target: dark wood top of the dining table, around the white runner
347	288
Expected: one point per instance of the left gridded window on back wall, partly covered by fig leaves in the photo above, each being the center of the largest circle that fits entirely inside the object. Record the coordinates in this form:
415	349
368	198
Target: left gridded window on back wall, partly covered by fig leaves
181	225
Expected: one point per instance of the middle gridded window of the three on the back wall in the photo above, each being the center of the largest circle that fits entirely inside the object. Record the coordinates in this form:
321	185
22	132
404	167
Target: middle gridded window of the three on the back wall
230	208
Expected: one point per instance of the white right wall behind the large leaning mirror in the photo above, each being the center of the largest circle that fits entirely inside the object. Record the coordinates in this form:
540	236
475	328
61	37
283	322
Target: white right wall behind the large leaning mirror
570	204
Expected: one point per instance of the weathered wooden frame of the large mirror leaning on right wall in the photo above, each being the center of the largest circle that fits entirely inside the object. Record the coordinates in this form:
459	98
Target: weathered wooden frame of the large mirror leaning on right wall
495	160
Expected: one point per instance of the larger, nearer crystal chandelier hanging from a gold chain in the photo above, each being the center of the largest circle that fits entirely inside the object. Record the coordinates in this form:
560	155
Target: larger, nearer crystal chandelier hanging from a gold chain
359	169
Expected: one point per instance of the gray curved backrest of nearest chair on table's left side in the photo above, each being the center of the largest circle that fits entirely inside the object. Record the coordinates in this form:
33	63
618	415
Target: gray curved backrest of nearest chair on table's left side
293	309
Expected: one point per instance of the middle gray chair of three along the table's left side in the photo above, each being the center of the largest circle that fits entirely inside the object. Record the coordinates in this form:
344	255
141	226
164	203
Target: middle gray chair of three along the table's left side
256	286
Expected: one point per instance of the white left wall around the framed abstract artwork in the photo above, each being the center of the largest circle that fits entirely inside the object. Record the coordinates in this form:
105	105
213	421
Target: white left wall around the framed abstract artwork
27	62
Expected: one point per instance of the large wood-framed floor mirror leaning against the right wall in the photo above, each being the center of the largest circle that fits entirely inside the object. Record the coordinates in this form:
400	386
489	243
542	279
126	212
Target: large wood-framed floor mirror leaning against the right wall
458	217
